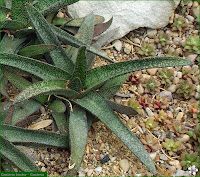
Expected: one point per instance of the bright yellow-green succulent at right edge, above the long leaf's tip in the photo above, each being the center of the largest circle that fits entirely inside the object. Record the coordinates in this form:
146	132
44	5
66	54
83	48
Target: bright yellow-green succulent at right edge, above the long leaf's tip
191	44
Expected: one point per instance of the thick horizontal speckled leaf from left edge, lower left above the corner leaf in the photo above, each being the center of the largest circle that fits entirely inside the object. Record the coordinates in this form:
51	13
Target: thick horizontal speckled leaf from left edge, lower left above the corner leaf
35	138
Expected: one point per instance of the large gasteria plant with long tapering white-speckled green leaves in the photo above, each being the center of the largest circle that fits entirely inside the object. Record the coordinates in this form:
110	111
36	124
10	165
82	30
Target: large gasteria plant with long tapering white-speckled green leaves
78	93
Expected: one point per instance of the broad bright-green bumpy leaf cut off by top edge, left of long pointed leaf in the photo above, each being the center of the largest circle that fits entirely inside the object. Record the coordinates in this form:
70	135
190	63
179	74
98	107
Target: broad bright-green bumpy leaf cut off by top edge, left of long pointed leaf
18	11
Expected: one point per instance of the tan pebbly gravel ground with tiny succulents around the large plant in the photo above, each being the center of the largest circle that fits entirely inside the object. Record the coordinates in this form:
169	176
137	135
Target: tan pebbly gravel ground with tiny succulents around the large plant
164	113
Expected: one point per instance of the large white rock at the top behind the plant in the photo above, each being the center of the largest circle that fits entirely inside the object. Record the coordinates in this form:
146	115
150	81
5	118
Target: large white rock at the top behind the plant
127	15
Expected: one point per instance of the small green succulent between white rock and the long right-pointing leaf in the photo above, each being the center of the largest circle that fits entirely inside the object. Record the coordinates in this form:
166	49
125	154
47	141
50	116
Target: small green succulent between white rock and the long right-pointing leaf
146	50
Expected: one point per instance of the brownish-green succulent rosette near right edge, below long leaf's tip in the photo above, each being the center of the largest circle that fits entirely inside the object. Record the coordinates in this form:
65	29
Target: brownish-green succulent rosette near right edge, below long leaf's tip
186	89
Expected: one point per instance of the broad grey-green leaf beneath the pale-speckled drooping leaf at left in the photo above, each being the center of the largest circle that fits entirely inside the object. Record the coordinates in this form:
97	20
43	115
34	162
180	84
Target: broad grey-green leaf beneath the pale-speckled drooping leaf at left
24	110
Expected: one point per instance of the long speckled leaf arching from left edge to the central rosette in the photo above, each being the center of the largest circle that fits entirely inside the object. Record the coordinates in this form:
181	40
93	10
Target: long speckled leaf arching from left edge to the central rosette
38	68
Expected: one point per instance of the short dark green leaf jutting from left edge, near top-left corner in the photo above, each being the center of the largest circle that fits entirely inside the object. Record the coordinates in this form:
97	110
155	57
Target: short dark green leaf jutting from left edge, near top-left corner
12	25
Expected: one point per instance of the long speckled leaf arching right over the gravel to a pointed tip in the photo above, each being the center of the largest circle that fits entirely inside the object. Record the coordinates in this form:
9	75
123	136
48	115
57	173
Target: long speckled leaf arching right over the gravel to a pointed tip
104	73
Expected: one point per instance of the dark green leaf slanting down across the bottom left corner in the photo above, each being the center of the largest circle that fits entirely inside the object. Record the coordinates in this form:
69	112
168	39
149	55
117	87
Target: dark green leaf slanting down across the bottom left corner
16	157
